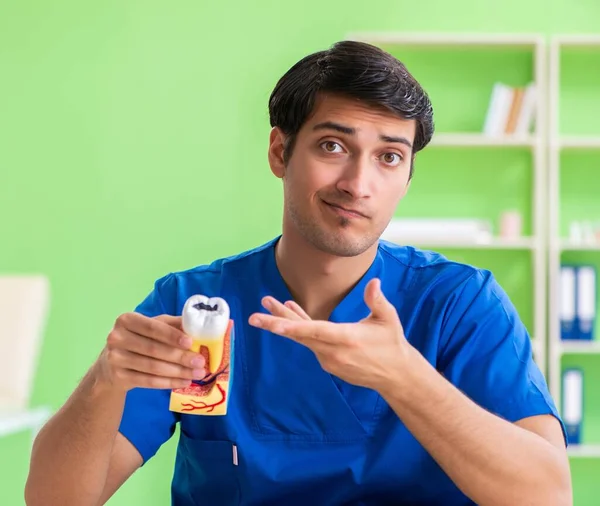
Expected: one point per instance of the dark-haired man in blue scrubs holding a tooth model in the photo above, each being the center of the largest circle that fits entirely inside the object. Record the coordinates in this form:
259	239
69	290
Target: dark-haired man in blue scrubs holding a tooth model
365	373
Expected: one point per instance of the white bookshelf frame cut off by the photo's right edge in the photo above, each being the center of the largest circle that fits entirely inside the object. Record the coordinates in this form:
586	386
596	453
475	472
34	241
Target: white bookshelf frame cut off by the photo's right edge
558	144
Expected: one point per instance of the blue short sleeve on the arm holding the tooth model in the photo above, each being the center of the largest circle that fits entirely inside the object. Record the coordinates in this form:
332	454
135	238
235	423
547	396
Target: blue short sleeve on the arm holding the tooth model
147	422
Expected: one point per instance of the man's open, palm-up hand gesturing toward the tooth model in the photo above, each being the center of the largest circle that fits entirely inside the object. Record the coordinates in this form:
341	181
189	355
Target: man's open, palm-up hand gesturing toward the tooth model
366	353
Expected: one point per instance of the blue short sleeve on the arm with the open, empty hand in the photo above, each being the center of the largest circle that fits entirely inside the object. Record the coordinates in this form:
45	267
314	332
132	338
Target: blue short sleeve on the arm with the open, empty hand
486	352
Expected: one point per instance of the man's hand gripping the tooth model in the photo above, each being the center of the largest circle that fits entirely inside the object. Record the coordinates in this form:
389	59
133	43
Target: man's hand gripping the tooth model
149	352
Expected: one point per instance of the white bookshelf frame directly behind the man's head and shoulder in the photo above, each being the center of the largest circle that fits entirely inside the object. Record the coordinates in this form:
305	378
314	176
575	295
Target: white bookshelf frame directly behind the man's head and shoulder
534	142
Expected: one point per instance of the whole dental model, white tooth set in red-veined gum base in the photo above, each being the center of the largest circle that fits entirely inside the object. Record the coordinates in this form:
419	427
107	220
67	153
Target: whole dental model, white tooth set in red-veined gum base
207	321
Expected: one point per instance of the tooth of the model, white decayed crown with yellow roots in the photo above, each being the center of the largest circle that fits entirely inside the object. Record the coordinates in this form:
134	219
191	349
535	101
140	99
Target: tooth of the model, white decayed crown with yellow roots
205	321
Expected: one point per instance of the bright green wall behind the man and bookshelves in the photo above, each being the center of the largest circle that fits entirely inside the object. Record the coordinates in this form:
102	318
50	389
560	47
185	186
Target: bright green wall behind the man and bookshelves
124	122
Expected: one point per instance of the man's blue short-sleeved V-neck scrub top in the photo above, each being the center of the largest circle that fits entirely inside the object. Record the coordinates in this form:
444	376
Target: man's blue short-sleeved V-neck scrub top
303	436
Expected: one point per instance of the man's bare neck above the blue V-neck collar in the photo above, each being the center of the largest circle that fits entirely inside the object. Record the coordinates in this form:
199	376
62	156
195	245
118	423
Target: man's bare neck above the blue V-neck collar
318	281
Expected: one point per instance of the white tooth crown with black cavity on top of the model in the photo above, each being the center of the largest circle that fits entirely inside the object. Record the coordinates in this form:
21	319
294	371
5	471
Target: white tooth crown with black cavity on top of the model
205	318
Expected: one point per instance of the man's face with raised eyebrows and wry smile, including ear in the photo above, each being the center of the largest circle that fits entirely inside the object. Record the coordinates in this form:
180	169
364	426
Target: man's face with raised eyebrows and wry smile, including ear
348	170
